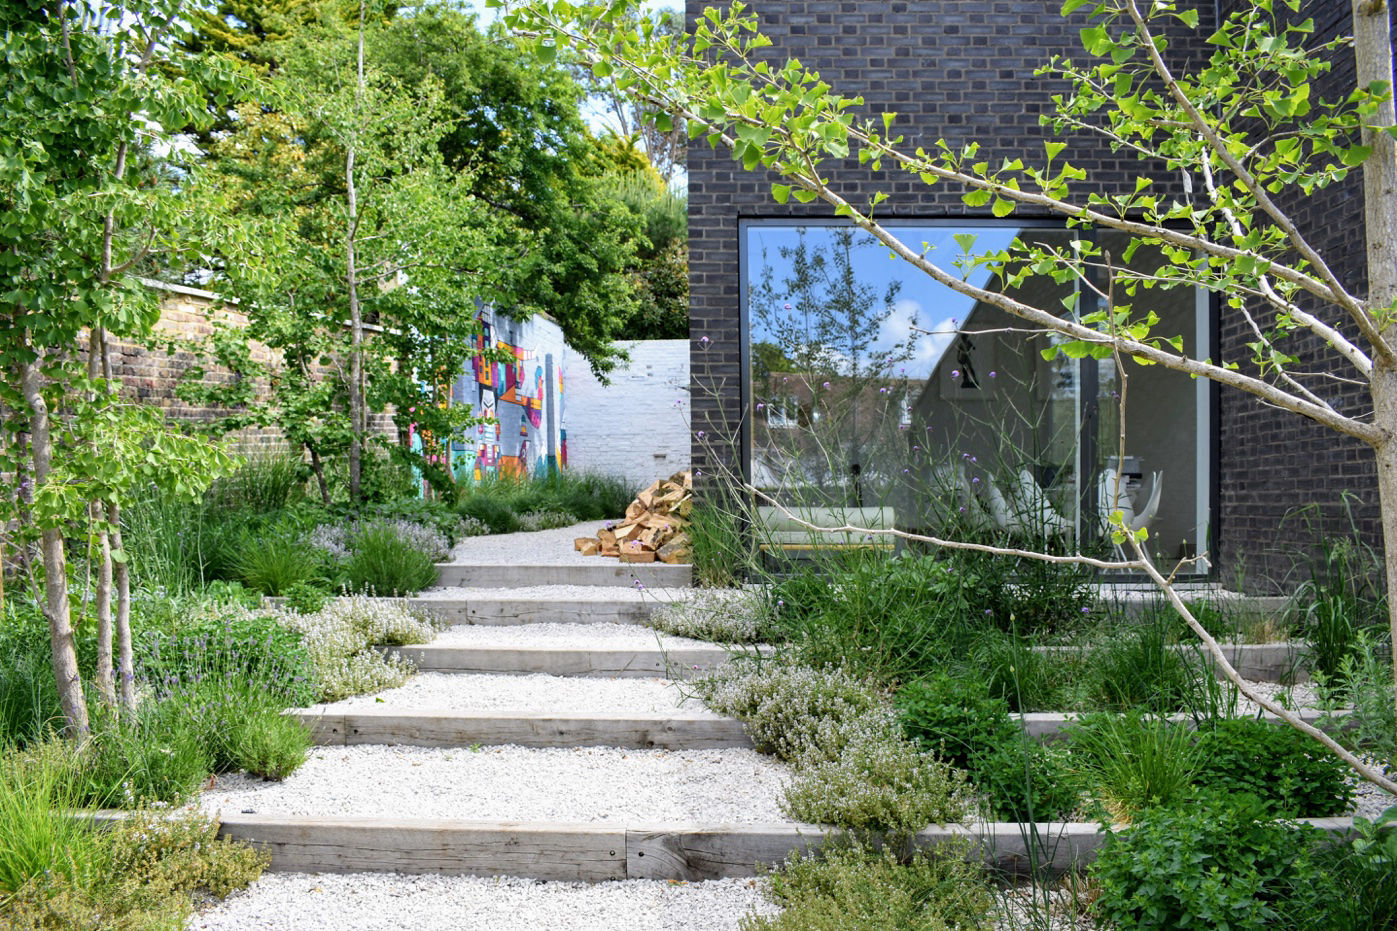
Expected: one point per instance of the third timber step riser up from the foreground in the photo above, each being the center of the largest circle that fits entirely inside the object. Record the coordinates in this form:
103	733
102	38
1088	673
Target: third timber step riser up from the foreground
643	662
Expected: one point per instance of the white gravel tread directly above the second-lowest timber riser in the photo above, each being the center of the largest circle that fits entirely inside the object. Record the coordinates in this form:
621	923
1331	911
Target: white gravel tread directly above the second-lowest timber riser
529	695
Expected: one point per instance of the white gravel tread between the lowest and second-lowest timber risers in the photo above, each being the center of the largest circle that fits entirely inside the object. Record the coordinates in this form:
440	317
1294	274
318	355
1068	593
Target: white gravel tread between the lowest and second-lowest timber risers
512	784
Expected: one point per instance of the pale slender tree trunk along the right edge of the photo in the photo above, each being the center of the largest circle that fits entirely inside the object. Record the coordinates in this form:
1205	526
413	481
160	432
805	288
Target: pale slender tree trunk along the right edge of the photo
1374	65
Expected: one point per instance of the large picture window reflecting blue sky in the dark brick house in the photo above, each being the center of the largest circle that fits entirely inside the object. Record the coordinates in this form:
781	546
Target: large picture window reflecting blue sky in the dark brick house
872	387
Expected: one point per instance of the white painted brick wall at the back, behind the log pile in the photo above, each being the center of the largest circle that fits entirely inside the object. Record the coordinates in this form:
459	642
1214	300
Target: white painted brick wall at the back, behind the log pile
638	426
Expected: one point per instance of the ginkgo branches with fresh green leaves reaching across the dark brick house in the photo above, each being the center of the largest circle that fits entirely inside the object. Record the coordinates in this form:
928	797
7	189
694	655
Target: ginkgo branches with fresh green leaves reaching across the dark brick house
1245	124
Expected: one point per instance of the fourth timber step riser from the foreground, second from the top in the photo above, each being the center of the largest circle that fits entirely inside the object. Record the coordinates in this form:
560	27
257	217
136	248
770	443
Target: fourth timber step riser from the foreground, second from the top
541	605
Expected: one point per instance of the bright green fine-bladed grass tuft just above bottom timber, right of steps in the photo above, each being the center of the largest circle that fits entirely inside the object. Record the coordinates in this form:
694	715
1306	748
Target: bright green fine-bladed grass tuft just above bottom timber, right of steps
1134	763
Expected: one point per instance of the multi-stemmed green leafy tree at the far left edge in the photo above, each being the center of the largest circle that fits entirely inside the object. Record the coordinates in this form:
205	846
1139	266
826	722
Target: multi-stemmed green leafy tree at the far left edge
93	194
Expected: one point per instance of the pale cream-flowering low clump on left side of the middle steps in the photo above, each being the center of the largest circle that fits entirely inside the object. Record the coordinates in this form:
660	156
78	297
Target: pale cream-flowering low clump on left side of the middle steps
342	638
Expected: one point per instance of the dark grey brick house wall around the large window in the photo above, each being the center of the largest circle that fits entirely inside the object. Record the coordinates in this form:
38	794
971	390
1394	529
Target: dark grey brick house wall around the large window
965	71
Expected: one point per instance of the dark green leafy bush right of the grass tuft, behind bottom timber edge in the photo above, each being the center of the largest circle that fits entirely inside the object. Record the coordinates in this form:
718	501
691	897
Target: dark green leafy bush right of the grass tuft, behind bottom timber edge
1293	775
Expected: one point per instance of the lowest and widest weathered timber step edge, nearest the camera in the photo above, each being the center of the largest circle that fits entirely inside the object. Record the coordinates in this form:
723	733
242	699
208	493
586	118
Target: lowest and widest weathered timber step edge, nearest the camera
604	852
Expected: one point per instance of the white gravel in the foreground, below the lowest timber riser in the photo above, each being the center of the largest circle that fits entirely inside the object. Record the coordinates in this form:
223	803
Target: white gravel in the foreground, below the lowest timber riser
392	902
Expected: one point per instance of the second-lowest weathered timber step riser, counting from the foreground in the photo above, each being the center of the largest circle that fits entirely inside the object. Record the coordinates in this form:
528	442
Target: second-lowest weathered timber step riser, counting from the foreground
675	730
